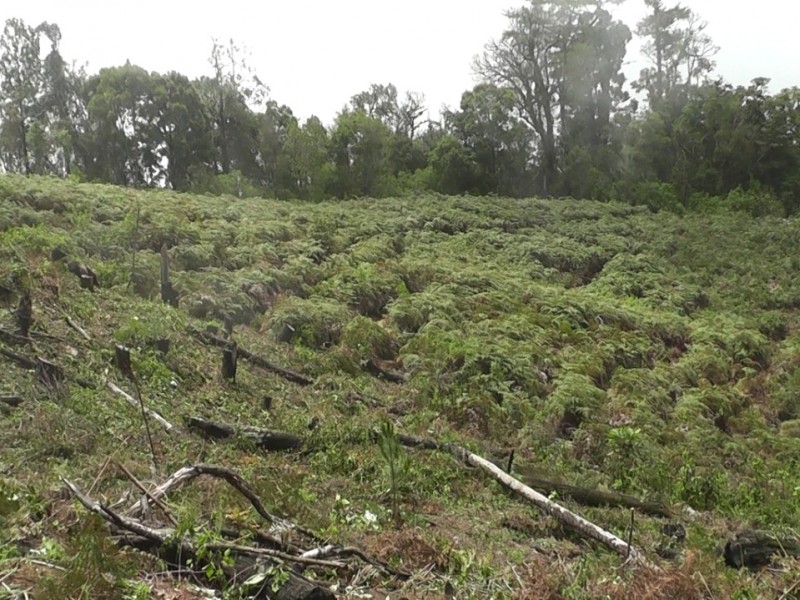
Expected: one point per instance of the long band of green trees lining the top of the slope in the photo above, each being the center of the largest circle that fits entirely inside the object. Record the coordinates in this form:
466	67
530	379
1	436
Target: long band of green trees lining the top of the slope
552	115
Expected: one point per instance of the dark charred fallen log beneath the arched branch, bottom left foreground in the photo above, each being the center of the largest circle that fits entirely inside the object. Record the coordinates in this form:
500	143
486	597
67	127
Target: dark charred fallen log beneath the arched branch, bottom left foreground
181	549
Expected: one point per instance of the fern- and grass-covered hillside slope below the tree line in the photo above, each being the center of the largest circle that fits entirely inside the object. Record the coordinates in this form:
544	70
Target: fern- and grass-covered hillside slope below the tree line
610	348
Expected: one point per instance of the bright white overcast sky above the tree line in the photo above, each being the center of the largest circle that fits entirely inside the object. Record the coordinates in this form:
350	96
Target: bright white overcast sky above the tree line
316	54
